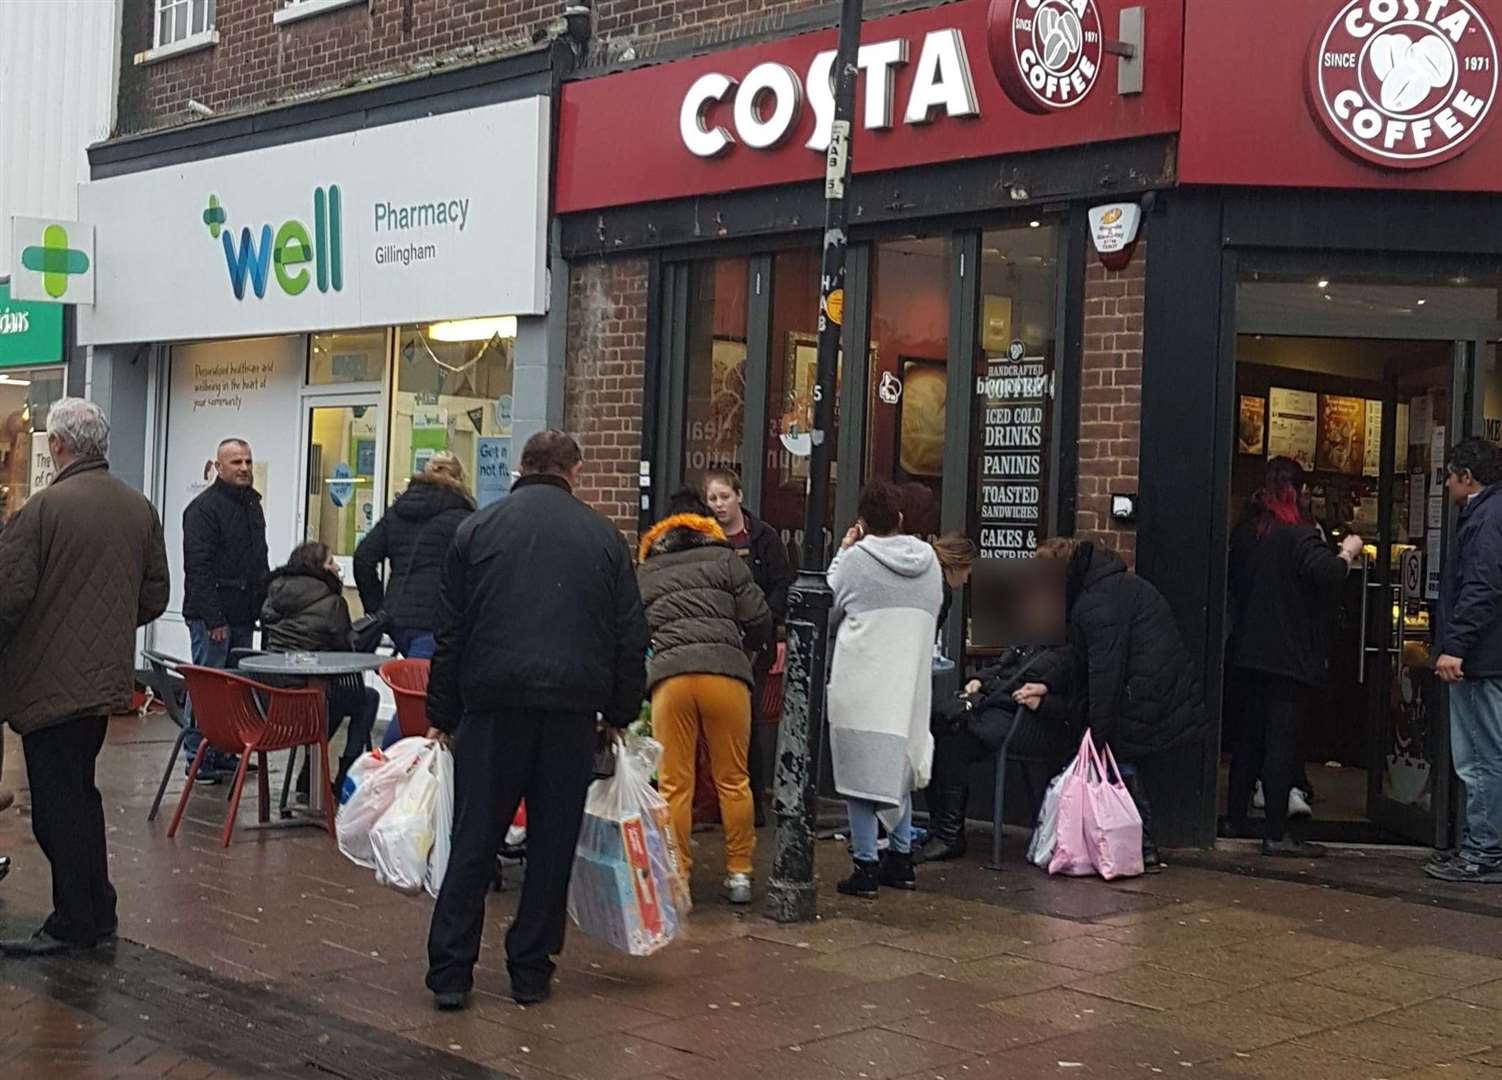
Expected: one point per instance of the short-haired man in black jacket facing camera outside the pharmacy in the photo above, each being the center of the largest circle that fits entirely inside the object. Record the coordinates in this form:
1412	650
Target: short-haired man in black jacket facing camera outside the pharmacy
225	570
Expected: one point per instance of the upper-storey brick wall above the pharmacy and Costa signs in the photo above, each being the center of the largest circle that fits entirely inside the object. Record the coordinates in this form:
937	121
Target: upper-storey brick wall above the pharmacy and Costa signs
261	64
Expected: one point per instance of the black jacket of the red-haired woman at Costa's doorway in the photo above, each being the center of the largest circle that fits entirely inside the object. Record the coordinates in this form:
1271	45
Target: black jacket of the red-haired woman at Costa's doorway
1285	590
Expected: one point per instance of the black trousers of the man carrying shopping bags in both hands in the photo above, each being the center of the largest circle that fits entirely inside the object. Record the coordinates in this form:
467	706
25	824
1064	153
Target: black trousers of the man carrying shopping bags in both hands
499	759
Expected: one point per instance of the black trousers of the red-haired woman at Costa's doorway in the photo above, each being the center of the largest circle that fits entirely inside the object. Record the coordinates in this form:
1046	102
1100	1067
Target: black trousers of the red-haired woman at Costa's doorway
1267	749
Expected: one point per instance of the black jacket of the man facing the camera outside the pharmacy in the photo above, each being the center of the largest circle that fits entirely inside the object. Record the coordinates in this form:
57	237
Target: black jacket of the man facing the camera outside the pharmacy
225	557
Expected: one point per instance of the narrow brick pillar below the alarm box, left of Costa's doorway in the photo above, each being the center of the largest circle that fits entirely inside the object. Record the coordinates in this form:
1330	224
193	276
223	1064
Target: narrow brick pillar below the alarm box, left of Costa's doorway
1111	399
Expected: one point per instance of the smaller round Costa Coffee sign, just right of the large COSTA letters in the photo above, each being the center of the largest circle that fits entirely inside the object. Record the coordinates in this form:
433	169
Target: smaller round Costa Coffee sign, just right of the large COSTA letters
1046	53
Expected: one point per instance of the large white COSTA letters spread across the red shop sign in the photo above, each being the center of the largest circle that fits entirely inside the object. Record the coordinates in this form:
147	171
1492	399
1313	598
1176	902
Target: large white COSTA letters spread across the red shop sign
768	104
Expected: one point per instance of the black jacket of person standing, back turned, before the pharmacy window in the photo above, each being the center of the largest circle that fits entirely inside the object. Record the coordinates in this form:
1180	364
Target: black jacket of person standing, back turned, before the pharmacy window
414	538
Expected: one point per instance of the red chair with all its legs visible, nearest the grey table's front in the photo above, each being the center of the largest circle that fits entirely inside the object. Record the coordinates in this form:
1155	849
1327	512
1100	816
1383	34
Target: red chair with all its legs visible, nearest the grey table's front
234	722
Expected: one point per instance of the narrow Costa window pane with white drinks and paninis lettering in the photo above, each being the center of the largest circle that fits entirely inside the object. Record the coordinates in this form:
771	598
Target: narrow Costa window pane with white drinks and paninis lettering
1010	430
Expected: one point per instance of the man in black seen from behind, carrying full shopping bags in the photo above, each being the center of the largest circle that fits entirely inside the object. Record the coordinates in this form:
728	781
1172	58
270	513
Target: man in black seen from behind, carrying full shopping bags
540	636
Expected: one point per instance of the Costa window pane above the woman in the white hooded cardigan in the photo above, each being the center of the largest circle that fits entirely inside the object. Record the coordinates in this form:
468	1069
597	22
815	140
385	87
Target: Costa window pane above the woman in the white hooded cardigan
909	346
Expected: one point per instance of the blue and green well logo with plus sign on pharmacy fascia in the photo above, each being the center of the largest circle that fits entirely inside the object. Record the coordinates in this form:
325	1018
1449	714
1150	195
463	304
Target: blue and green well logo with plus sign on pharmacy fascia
294	255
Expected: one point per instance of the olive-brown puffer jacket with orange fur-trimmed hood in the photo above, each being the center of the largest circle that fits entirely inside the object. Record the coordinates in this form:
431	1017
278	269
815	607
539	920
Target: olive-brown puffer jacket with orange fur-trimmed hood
705	611
